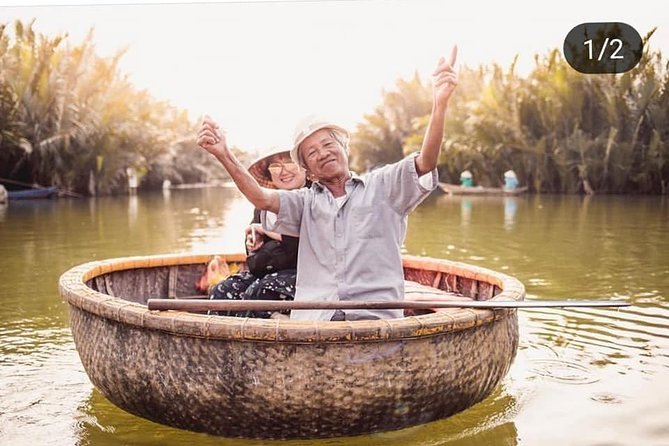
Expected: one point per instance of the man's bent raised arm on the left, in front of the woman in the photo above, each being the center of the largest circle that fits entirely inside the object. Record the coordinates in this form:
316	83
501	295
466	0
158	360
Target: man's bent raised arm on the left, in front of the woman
211	138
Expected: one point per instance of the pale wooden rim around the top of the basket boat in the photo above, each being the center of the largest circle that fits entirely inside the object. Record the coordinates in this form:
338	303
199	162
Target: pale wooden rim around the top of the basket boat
73	289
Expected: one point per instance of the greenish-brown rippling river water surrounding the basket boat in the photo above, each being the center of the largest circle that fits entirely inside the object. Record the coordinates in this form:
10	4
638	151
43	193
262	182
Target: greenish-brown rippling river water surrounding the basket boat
581	376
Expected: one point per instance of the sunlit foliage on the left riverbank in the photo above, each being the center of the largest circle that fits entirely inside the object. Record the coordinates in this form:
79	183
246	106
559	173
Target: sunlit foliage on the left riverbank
69	118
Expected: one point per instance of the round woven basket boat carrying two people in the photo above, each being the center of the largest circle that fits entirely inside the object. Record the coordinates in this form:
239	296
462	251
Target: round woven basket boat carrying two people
277	378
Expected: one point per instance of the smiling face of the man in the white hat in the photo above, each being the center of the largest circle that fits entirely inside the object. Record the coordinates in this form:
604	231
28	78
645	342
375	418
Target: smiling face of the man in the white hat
323	156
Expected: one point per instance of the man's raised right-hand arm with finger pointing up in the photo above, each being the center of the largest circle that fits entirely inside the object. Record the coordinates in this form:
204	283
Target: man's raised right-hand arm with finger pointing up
444	83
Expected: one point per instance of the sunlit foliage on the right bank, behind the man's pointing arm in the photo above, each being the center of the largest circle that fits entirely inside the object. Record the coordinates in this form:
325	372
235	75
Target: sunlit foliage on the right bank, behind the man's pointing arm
560	130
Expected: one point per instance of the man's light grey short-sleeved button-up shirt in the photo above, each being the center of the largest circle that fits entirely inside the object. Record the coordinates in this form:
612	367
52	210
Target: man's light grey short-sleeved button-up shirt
352	252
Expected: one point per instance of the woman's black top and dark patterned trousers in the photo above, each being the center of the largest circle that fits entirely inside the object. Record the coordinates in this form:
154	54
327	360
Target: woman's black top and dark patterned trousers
271	276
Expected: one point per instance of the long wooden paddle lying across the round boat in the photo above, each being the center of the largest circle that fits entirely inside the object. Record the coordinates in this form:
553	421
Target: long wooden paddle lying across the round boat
281	305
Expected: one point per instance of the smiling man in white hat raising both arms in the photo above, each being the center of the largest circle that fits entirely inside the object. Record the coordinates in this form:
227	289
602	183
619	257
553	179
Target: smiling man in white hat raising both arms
351	227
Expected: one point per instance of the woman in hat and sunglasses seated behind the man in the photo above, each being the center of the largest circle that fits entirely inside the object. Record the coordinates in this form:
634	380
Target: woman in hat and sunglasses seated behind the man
272	257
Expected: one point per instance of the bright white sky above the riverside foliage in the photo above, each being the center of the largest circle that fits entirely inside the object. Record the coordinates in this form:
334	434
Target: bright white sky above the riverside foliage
258	67
